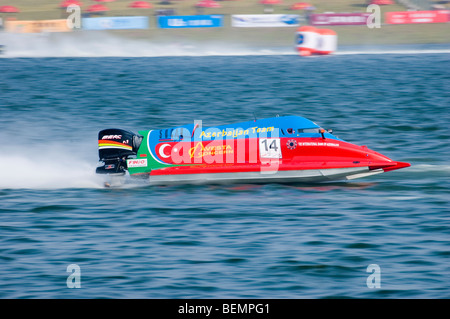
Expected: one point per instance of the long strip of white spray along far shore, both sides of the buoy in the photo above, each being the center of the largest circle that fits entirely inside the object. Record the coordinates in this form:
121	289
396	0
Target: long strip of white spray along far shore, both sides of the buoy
83	44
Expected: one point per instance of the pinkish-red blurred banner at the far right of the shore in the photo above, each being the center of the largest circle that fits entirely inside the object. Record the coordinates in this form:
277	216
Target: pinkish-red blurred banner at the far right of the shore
437	16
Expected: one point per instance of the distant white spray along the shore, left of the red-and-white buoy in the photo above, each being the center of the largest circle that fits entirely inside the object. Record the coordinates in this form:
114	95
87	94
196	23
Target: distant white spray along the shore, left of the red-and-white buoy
106	45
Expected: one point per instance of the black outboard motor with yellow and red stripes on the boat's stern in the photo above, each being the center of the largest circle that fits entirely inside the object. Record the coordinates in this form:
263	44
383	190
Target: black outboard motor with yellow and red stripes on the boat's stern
114	147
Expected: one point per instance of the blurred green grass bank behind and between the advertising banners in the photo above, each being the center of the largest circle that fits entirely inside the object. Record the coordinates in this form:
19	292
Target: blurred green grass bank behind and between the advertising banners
348	35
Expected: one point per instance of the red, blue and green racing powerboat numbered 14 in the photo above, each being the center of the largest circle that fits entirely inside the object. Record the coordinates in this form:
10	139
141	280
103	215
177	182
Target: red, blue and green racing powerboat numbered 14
282	149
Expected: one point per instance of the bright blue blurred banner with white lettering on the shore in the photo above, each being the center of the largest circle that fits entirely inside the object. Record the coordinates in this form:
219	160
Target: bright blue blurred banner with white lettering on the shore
195	21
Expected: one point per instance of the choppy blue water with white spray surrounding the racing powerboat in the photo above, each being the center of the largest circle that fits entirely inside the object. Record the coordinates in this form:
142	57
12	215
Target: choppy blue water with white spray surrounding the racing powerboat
234	241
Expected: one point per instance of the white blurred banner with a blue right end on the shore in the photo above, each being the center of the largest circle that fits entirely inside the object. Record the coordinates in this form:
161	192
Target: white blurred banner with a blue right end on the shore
265	20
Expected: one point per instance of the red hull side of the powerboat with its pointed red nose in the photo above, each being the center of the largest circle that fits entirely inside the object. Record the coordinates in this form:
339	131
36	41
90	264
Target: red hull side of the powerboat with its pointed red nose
312	159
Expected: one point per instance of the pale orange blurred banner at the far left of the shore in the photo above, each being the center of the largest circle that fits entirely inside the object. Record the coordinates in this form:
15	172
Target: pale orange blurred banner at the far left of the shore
15	26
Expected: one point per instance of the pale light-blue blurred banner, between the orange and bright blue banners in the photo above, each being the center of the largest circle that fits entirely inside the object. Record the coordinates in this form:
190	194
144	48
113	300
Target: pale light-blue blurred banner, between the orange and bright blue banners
115	23
